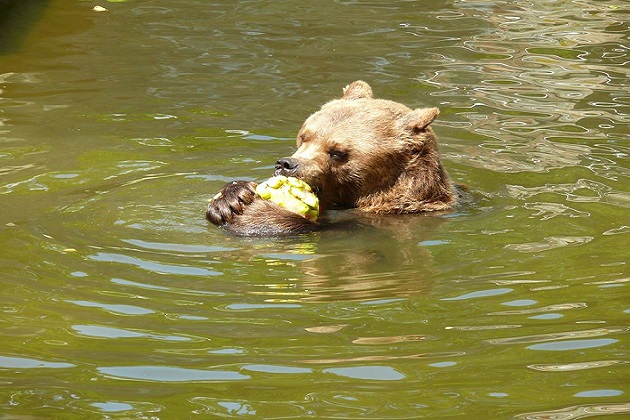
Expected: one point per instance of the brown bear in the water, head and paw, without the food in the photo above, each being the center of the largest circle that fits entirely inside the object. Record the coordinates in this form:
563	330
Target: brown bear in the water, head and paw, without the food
374	155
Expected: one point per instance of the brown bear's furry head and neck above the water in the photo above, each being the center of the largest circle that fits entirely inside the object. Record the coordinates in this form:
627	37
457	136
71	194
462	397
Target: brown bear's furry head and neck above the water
374	154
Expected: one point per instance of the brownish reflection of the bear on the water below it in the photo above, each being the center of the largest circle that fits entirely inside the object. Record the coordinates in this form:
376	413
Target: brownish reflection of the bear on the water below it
357	257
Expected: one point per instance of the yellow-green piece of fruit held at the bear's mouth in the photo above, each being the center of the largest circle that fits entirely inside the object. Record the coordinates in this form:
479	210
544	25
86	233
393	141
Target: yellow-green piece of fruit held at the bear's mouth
292	194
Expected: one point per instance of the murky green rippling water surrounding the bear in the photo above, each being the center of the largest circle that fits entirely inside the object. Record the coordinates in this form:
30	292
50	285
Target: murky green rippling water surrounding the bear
118	300
